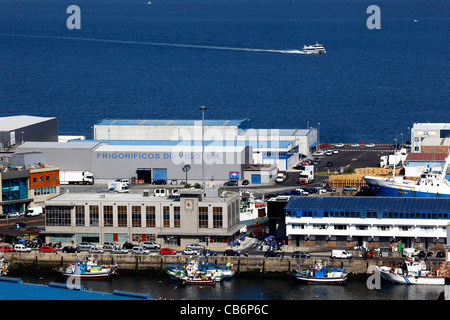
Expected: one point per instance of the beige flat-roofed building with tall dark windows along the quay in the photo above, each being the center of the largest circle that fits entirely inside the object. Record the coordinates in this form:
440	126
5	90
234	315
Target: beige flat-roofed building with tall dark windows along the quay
183	217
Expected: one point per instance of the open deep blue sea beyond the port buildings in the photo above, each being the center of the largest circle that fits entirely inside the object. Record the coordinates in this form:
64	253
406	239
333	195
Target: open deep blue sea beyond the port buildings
164	60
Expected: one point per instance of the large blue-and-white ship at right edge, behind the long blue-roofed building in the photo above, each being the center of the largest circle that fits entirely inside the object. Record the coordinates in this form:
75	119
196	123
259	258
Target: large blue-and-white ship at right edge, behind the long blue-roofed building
431	183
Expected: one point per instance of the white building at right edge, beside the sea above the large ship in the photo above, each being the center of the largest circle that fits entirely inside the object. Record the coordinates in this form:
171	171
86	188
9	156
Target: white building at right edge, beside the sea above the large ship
430	138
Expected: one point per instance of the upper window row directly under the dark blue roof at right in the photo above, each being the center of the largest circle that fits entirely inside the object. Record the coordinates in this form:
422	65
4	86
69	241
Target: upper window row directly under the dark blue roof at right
368	214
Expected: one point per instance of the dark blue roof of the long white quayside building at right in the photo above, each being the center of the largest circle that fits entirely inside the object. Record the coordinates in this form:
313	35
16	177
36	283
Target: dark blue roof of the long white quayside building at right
369	204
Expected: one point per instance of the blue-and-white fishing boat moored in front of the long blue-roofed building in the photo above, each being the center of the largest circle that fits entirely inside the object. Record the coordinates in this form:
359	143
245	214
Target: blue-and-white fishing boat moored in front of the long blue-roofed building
321	274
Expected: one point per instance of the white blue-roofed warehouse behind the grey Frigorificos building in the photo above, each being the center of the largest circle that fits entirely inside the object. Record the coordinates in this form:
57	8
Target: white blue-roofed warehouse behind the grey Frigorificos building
281	147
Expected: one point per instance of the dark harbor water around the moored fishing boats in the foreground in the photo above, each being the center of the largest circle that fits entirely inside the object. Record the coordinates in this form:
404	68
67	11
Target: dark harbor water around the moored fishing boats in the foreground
245	287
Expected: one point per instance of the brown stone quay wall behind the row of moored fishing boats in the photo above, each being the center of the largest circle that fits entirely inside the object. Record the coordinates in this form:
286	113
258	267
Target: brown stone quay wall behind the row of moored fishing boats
242	264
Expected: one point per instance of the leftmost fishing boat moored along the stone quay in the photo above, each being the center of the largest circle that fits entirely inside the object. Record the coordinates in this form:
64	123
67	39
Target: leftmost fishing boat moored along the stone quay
88	269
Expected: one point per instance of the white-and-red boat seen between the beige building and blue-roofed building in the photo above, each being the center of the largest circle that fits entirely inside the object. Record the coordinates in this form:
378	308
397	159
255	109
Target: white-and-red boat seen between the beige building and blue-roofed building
253	211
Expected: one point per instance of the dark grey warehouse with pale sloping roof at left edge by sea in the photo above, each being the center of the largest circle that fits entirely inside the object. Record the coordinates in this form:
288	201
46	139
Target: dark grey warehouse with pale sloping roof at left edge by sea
15	130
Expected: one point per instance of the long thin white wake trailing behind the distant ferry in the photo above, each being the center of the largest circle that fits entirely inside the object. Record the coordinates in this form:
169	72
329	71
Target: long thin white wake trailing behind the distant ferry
162	44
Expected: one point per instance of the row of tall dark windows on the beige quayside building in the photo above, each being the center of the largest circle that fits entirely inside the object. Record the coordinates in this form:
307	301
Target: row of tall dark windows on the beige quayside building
61	216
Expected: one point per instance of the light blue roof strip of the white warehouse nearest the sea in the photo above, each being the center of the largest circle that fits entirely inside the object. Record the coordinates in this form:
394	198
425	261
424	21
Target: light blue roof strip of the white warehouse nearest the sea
168	122
